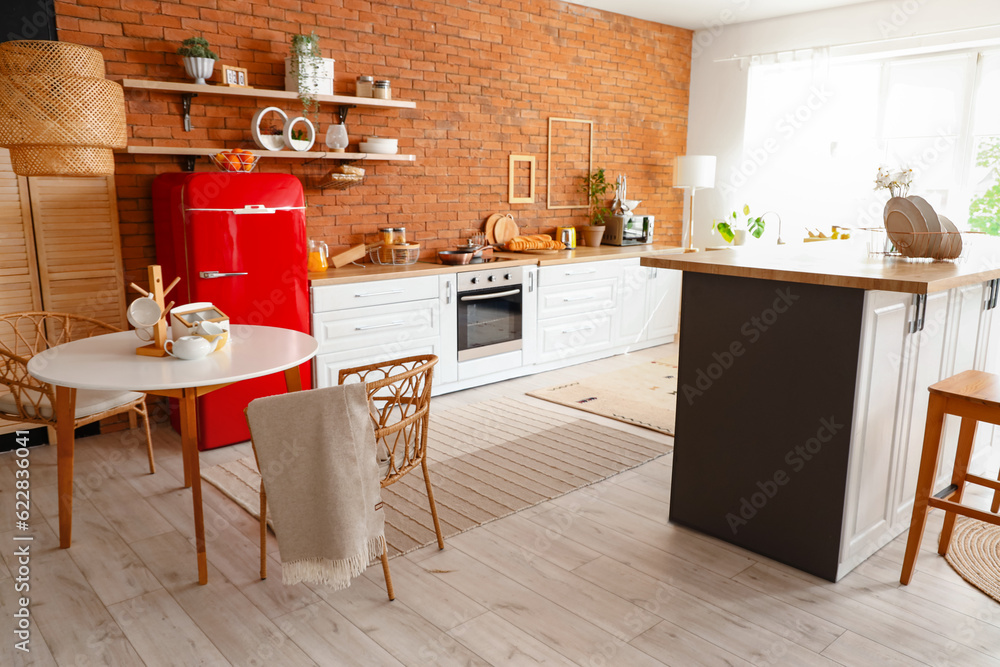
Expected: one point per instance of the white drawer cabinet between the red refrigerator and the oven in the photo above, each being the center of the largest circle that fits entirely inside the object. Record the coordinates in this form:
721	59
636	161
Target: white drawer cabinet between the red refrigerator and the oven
375	321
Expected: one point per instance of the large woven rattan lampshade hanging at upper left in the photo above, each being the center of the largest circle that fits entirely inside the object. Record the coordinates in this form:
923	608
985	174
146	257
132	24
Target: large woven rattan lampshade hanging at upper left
59	116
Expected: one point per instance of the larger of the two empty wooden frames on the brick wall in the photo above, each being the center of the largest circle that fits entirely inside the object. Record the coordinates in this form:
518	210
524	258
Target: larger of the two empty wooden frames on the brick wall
571	144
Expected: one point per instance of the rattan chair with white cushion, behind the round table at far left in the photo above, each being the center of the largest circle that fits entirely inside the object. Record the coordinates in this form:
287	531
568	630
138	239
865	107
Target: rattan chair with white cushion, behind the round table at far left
23	335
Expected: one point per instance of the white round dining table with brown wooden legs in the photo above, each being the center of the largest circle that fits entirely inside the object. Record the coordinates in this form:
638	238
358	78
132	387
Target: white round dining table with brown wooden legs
110	363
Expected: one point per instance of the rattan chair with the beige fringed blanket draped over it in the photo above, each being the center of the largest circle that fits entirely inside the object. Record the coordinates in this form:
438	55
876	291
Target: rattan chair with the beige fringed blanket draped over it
399	400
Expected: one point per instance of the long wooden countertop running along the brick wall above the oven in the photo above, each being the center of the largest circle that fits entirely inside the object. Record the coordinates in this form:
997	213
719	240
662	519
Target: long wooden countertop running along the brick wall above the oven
355	274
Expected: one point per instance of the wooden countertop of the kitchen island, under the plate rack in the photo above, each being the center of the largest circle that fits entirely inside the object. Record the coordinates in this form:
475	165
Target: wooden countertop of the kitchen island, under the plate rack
845	265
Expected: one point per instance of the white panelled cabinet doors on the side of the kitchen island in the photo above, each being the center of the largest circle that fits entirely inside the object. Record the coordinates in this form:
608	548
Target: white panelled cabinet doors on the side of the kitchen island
895	367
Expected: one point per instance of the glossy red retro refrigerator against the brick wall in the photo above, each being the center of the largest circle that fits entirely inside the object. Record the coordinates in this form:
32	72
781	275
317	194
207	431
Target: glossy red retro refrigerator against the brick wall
238	241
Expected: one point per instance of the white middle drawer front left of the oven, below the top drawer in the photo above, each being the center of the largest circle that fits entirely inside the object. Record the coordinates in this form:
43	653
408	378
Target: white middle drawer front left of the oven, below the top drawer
377	325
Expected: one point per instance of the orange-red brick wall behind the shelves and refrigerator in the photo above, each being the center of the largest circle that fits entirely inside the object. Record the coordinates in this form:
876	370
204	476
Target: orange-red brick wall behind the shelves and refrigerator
486	77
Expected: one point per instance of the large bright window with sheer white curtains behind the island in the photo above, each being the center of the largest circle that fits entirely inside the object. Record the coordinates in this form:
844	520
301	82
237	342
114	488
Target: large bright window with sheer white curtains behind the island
820	127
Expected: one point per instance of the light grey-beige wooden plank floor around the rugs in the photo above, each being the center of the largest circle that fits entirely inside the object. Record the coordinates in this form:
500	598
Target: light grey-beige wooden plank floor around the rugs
596	577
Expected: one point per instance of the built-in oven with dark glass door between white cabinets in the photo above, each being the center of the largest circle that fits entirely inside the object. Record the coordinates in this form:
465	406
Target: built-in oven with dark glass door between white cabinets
489	312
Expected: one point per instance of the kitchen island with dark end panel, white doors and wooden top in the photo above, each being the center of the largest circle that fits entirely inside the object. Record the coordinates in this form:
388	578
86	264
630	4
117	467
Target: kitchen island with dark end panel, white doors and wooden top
802	391
